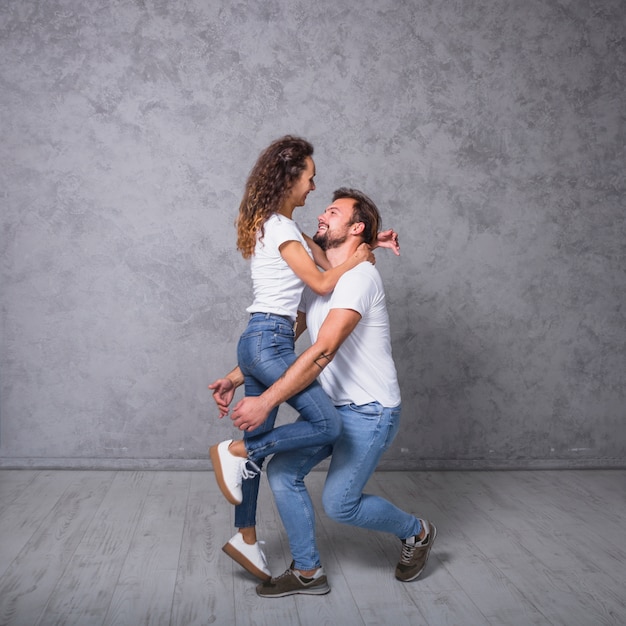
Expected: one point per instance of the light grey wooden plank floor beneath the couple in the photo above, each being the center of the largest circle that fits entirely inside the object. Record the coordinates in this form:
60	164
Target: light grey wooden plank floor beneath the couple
115	548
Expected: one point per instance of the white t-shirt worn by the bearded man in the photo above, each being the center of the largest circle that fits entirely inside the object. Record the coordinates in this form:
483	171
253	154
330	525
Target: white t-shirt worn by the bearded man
363	370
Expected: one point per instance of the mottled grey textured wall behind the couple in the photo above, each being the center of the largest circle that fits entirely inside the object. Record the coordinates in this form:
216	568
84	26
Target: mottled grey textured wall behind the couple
491	134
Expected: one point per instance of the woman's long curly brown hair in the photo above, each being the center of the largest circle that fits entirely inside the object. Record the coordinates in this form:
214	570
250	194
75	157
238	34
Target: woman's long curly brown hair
277	169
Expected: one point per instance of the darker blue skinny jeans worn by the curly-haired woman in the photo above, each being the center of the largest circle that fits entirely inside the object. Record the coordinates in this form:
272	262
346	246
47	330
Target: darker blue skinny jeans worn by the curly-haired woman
264	352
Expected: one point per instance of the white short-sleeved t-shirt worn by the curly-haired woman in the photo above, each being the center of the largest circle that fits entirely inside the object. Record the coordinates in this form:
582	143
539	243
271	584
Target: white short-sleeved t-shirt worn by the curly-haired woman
276	288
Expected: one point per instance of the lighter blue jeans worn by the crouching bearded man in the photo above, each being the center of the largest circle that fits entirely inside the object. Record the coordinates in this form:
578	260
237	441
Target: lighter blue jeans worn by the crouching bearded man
368	430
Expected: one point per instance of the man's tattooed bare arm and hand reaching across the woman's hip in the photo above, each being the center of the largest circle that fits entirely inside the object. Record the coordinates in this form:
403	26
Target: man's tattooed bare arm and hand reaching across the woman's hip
251	412
